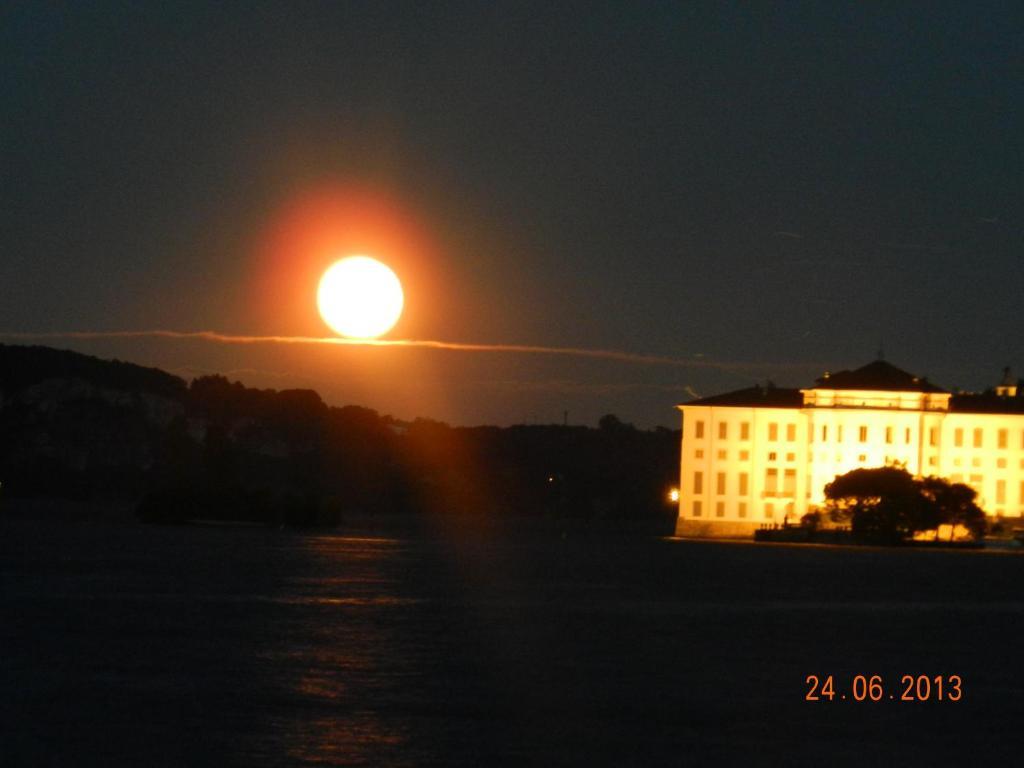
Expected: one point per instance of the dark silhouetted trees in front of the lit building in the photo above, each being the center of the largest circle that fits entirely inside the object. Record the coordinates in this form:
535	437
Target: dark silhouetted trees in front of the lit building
888	505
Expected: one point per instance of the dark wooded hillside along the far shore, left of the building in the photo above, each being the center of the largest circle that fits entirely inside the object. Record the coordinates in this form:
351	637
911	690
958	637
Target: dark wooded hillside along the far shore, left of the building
79	429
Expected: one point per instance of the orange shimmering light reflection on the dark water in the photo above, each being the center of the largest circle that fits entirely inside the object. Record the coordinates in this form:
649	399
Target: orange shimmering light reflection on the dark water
342	660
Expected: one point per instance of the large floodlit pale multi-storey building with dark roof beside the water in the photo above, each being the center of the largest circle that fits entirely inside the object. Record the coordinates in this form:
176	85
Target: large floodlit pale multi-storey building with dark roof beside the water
764	455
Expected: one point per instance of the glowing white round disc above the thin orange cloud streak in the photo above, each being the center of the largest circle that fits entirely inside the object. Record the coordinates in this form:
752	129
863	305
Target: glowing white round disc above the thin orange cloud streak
360	297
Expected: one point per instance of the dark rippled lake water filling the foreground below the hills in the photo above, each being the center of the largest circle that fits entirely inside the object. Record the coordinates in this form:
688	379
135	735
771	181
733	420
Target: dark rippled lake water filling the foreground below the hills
134	646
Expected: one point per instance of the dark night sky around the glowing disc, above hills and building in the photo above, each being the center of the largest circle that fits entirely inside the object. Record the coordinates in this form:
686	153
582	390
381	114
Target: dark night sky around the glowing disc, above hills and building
782	187
